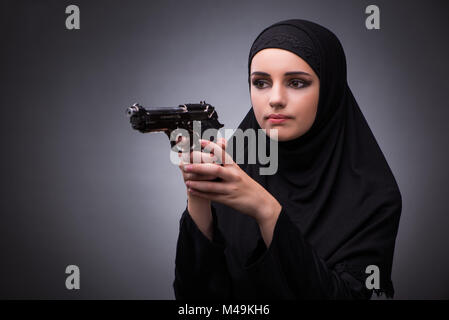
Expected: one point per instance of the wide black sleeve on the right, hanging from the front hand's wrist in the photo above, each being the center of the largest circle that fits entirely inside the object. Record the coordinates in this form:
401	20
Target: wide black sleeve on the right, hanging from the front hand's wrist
291	269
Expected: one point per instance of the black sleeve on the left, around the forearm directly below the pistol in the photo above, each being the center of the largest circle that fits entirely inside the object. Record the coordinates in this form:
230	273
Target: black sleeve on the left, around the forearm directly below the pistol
200	266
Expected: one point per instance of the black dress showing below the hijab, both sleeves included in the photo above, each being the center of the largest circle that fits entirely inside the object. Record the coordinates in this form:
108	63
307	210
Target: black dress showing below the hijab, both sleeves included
289	269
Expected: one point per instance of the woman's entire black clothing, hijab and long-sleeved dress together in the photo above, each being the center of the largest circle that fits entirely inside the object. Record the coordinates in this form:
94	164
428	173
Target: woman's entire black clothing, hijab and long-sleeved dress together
341	204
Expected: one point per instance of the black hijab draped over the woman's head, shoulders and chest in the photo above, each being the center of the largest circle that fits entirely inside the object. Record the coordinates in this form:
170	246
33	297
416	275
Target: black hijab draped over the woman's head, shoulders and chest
334	180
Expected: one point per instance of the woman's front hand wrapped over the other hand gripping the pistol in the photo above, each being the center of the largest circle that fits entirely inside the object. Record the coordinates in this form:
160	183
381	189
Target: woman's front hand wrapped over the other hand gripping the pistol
235	189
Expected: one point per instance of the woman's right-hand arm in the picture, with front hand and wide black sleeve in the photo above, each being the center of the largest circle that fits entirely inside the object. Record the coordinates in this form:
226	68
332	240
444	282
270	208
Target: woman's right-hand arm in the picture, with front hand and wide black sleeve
290	268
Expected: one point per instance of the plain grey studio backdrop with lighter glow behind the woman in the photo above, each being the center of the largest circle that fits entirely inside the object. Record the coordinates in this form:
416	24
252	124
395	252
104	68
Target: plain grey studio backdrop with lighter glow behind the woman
80	187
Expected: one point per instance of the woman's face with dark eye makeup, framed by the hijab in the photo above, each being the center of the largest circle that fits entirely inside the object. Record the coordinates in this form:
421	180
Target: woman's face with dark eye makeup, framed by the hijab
283	86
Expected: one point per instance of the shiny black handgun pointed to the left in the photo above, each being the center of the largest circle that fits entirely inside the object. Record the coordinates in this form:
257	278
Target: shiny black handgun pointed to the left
168	119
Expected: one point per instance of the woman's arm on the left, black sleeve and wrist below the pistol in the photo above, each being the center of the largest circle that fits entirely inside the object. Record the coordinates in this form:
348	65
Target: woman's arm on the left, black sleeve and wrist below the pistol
201	270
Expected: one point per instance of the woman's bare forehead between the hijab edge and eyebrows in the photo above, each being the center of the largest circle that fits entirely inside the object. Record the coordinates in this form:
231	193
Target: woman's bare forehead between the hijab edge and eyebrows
275	60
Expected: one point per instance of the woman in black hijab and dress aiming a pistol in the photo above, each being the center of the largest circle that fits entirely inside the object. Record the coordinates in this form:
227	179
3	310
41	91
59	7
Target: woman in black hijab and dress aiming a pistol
328	216
